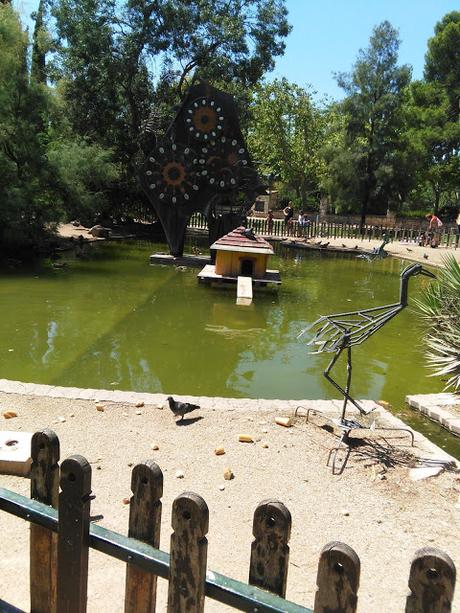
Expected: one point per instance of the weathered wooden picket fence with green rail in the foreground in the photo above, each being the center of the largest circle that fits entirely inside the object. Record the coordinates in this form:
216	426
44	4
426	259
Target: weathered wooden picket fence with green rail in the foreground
62	534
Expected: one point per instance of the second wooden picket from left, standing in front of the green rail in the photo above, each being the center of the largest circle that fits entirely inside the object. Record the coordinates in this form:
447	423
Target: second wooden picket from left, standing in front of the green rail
73	537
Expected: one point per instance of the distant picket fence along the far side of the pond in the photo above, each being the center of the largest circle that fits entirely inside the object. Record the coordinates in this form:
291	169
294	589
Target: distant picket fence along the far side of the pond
320	229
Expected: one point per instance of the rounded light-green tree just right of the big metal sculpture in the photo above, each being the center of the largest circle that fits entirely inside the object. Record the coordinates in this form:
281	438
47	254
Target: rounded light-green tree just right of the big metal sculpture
285	134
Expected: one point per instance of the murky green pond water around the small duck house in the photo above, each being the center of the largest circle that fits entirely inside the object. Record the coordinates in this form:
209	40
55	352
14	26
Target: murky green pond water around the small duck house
113	321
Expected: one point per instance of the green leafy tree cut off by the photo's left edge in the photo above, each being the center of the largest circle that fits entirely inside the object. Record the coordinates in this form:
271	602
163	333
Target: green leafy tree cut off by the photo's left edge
25	175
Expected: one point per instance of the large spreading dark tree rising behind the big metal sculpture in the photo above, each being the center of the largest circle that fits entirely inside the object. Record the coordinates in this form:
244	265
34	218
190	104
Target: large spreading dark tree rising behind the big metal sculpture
109	53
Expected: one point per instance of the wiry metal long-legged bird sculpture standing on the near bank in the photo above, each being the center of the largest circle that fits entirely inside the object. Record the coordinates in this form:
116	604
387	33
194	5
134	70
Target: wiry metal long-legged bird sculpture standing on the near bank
342	331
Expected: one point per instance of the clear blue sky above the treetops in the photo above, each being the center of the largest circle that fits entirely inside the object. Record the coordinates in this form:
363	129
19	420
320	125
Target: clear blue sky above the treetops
327	35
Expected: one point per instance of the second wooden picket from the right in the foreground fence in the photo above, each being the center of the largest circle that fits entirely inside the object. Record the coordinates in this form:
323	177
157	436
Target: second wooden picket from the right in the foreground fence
337	580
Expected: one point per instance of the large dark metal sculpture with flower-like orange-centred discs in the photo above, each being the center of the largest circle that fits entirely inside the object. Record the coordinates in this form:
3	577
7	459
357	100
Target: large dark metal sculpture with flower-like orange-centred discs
200	163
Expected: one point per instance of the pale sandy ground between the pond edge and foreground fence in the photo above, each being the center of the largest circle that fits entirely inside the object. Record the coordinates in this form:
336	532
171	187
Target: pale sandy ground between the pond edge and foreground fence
374	508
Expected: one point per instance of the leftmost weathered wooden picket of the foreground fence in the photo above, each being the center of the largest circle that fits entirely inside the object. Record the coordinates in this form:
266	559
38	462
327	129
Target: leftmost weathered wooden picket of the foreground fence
44	487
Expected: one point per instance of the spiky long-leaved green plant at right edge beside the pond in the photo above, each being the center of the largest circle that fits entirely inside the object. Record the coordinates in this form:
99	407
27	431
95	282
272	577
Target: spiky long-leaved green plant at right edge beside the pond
440	309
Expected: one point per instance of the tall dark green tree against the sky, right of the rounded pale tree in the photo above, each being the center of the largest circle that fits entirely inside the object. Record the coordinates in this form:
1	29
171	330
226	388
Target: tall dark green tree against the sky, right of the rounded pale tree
365	170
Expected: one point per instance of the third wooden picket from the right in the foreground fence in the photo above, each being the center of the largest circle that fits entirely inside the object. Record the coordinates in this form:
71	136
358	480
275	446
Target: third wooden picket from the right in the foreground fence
271	528
